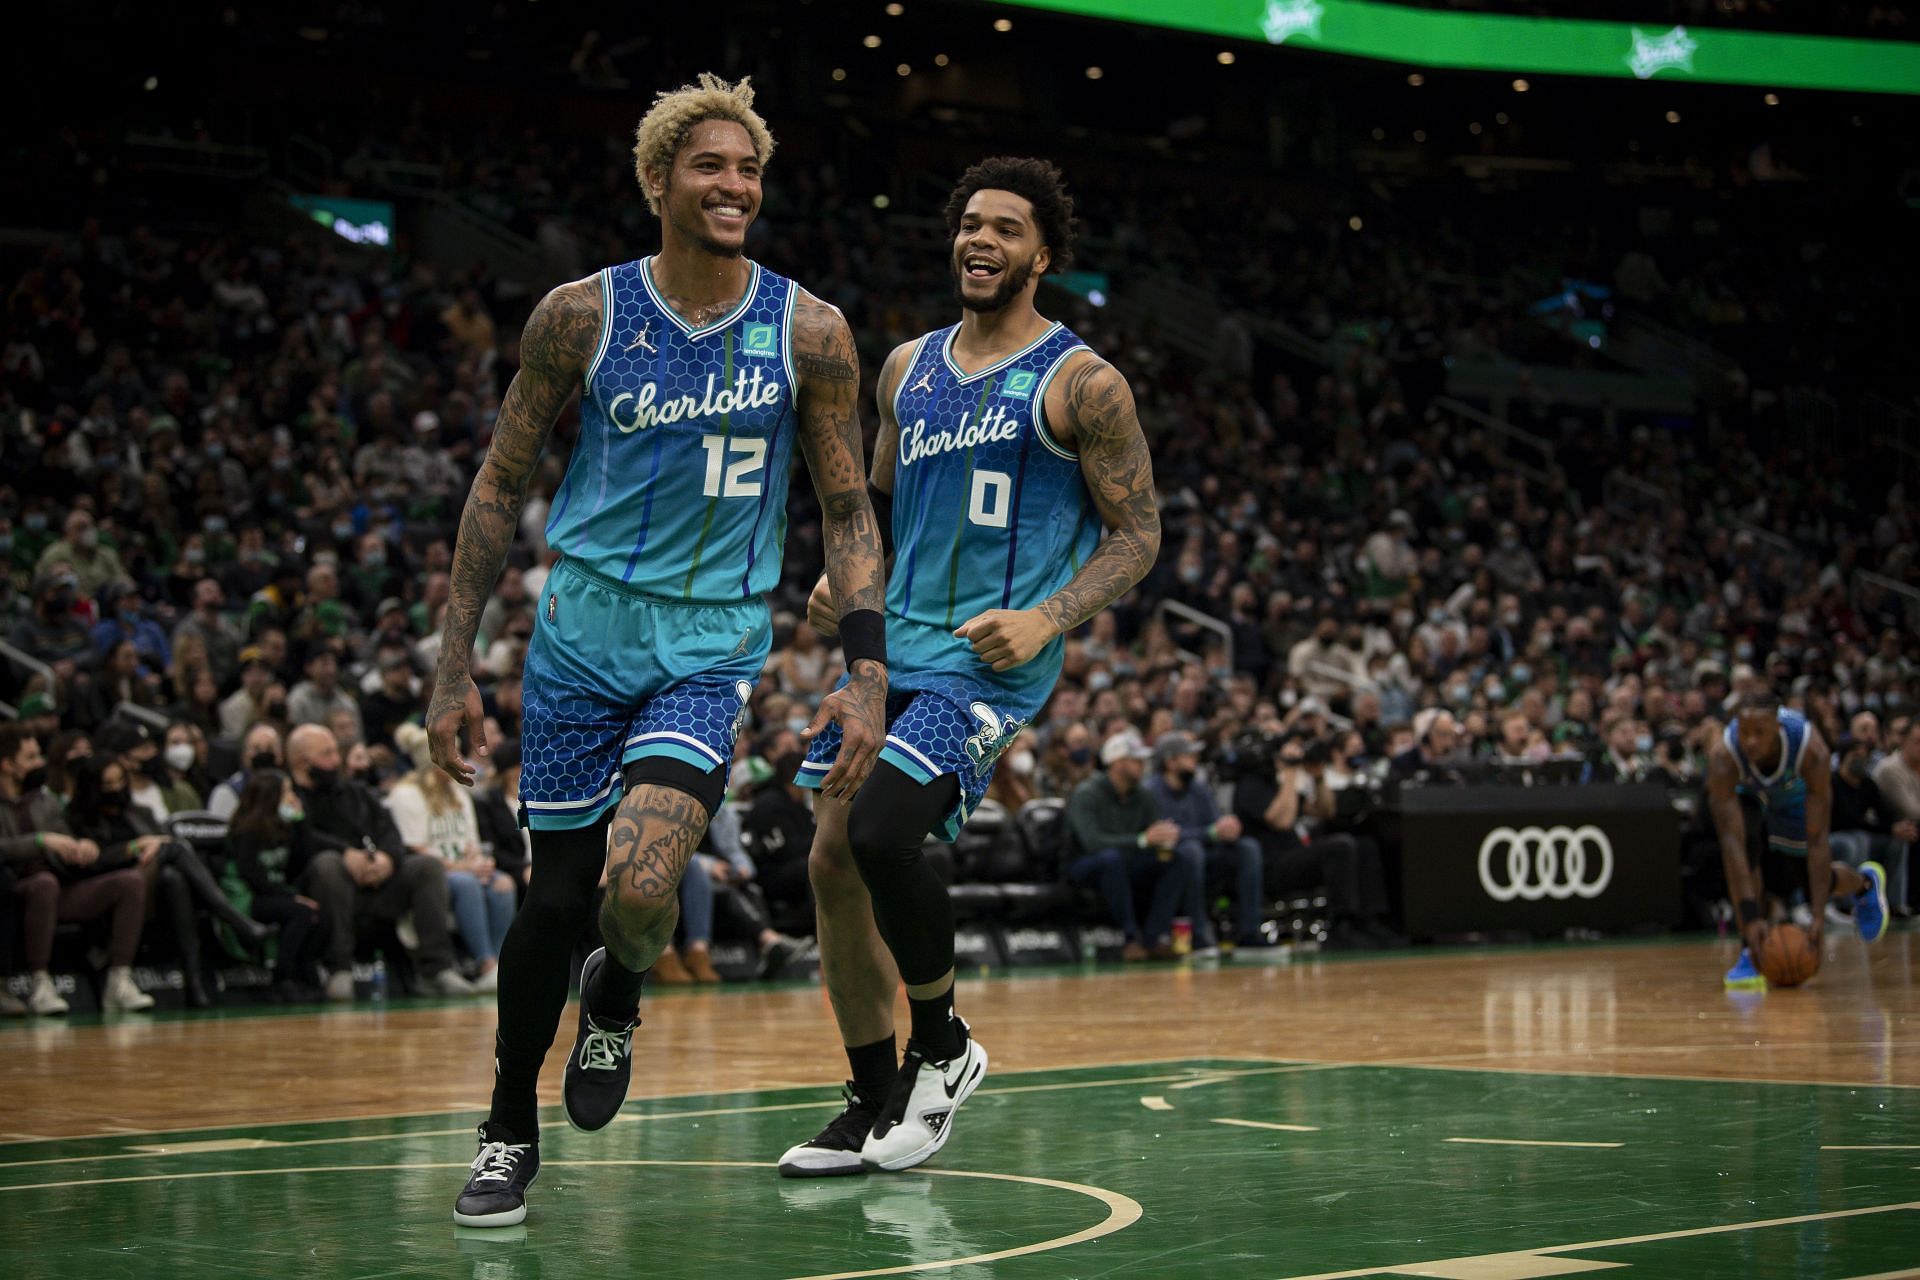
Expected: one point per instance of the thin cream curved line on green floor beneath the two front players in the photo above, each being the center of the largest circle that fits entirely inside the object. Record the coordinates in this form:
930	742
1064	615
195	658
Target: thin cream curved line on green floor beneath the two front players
1122	1212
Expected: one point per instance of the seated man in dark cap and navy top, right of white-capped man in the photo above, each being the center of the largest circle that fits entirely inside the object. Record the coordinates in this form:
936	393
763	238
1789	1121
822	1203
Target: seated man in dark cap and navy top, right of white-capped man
1218	855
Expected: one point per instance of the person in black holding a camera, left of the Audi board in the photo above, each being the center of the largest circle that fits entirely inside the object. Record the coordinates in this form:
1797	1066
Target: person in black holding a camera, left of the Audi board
1282	807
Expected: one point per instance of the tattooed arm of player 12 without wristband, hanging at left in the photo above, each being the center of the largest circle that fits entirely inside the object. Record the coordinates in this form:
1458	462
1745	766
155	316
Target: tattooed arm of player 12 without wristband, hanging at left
554	358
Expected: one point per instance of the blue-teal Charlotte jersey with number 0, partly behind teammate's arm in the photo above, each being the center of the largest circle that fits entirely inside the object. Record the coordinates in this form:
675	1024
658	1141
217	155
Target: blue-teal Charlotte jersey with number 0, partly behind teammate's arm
990	511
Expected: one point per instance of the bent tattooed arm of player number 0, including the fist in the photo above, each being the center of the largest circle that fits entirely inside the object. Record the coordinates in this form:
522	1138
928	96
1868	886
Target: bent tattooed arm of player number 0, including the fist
1097	415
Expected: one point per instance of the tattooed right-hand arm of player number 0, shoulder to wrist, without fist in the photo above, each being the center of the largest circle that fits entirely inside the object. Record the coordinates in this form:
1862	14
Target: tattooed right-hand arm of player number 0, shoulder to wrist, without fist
1120	477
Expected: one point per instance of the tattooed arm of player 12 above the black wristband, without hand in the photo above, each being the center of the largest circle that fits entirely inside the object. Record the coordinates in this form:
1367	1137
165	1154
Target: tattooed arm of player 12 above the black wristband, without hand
830	439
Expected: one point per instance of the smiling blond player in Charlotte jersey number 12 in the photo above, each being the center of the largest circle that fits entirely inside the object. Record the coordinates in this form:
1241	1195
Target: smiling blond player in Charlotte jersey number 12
698	373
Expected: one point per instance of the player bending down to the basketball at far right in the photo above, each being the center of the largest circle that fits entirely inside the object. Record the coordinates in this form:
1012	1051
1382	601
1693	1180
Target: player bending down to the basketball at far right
1771	790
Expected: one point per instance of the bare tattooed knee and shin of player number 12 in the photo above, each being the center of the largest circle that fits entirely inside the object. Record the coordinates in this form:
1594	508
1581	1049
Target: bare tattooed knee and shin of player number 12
654	840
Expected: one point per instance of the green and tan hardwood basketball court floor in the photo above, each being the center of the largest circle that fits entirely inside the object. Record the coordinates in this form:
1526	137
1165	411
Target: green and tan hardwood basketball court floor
1502	1114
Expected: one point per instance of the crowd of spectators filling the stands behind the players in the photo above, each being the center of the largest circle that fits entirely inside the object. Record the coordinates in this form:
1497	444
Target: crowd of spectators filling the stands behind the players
231	467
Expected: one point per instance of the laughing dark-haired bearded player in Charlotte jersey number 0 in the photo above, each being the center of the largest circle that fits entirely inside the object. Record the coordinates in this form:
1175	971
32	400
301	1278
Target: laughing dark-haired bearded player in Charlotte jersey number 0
1005	448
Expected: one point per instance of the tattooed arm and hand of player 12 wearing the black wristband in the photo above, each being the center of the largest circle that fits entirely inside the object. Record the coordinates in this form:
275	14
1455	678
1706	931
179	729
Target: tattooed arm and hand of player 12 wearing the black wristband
830	439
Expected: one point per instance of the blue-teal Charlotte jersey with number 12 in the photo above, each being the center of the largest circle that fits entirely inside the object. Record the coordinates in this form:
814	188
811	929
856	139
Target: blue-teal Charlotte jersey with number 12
679	483
